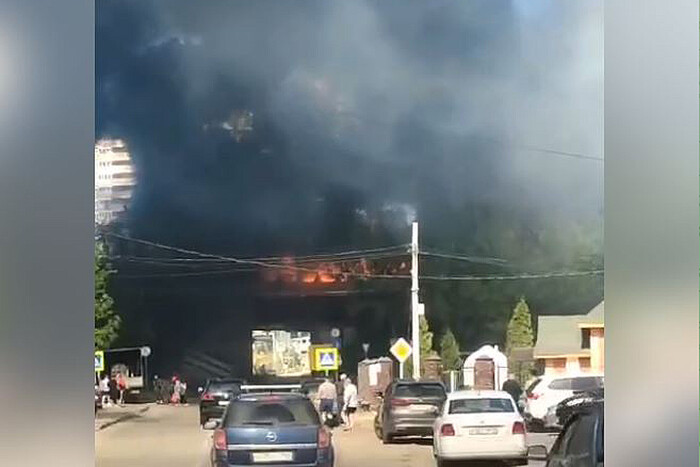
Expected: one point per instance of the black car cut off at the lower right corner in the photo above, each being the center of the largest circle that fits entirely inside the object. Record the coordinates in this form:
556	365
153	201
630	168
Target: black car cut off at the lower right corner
581	441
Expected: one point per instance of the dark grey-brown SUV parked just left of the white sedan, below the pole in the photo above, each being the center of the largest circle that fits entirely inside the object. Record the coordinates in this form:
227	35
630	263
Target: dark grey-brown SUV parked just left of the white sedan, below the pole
409	408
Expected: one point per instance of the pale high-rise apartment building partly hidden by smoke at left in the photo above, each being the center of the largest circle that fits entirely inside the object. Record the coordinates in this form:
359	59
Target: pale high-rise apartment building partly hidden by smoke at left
115	180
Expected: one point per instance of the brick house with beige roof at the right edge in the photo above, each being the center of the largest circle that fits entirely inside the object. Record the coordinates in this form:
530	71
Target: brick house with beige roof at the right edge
571	344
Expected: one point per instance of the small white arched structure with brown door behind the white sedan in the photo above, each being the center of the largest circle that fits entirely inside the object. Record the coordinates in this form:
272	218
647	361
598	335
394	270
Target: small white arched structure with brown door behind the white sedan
487	368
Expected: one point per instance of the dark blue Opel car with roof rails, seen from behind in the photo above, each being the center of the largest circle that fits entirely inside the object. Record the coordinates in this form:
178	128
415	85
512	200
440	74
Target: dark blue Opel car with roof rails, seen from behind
277	429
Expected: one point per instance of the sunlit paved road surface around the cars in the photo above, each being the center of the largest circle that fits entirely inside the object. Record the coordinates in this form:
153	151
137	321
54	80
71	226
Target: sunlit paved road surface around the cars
171	436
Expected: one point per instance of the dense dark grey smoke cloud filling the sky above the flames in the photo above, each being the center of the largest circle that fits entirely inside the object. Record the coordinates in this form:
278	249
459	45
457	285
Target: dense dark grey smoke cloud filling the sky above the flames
260	125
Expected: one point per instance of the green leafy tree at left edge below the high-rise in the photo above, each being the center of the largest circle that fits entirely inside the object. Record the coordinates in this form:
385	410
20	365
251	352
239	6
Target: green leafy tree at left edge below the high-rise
107	321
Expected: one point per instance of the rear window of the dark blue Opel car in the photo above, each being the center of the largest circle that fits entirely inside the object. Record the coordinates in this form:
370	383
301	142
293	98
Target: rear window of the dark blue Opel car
271	412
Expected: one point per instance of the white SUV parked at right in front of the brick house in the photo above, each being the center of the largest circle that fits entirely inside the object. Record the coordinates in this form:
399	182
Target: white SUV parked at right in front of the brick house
548	391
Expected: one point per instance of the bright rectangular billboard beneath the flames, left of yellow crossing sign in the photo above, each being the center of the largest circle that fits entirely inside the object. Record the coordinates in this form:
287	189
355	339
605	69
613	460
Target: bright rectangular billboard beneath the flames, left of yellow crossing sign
281	353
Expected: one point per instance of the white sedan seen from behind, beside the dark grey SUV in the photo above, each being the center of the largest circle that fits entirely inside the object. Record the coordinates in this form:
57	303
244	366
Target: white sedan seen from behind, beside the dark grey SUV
480	425
